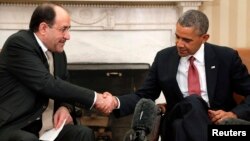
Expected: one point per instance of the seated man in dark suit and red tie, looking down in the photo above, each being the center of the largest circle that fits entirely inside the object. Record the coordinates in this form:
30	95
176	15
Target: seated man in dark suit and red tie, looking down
221	73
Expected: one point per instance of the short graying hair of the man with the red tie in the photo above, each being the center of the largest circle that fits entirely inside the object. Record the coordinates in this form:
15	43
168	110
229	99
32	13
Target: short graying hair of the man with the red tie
196	19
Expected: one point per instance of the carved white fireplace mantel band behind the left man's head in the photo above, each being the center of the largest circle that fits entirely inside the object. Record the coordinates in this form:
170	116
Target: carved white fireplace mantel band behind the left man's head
96	17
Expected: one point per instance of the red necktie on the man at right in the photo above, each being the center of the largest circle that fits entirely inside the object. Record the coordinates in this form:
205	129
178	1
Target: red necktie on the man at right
193	78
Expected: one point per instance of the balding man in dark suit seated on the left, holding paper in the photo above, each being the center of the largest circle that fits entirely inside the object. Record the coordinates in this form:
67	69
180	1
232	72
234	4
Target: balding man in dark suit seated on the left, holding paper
26	83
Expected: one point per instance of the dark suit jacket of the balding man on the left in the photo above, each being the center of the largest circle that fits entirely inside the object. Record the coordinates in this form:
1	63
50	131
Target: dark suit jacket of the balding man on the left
26	84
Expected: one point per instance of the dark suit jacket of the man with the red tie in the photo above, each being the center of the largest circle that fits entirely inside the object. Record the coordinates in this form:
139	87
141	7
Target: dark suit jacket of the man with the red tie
225	74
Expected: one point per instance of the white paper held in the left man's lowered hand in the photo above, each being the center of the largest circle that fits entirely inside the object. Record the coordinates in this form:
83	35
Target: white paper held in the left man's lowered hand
51	134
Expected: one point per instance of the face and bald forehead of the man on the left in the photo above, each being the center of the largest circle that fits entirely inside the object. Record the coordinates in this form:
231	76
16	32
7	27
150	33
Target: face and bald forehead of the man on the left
58	34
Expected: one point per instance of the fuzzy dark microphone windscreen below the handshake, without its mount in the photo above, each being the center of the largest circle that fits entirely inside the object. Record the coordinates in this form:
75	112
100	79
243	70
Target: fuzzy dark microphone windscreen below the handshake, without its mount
144	115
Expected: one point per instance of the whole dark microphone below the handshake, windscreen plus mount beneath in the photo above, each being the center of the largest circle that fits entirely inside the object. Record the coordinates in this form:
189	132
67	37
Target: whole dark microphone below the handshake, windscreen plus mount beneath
143	120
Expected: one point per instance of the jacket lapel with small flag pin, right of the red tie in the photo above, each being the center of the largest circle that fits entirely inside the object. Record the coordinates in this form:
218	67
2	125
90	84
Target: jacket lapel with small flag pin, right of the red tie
211	67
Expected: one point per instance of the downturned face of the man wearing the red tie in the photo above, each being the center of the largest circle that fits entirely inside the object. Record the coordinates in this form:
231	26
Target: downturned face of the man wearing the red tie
188	41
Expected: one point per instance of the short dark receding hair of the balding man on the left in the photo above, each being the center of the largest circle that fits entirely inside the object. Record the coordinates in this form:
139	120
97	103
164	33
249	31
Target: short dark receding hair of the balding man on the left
42	13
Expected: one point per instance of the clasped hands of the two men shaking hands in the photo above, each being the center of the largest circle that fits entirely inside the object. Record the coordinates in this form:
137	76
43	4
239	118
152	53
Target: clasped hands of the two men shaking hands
106	103
